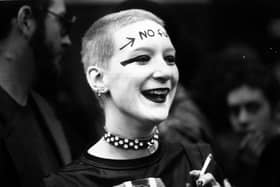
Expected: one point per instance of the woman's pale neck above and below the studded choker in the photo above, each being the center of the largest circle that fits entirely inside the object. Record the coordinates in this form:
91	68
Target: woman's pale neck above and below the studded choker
124	126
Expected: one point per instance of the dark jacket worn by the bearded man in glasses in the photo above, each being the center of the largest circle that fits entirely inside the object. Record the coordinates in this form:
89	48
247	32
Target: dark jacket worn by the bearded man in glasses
28	150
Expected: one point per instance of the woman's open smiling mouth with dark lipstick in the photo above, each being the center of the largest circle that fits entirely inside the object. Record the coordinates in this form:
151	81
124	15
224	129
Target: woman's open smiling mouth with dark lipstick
157	95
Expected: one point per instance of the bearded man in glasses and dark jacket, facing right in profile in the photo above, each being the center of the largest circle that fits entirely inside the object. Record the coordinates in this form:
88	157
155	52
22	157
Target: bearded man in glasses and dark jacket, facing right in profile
33	37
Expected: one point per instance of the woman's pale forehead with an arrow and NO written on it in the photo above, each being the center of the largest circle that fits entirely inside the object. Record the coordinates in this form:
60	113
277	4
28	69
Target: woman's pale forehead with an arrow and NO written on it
139	34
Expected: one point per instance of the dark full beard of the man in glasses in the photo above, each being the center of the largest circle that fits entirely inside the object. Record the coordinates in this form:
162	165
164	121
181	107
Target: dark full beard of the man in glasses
47	70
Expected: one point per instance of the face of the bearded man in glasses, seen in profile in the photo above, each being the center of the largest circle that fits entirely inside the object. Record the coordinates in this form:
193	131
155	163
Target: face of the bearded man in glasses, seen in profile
51	40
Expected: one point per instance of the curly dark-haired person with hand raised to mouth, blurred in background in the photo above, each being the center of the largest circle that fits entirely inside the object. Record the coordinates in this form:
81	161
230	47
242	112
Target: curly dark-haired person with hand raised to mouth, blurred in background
243	98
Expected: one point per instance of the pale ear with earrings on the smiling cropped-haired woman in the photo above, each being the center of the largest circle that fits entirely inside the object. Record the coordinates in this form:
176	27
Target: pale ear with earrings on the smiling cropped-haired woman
95	79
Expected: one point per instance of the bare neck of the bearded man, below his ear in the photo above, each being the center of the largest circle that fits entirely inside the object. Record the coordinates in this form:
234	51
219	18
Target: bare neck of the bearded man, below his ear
16	70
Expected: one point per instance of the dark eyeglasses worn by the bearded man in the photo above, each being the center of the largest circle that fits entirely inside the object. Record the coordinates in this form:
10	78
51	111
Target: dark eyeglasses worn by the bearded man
66	21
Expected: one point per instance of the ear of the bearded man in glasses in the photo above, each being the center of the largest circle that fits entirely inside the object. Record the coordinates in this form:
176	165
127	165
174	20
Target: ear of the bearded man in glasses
26	22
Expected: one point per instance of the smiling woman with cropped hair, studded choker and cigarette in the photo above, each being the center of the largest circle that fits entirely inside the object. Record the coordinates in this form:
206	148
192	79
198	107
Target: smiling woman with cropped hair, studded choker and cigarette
129	61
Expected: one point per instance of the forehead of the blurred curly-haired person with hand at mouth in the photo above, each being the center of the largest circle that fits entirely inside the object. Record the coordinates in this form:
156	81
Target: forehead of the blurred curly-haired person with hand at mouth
245	94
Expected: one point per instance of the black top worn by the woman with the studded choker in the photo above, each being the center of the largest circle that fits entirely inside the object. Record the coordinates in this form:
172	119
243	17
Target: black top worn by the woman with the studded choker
171	164
